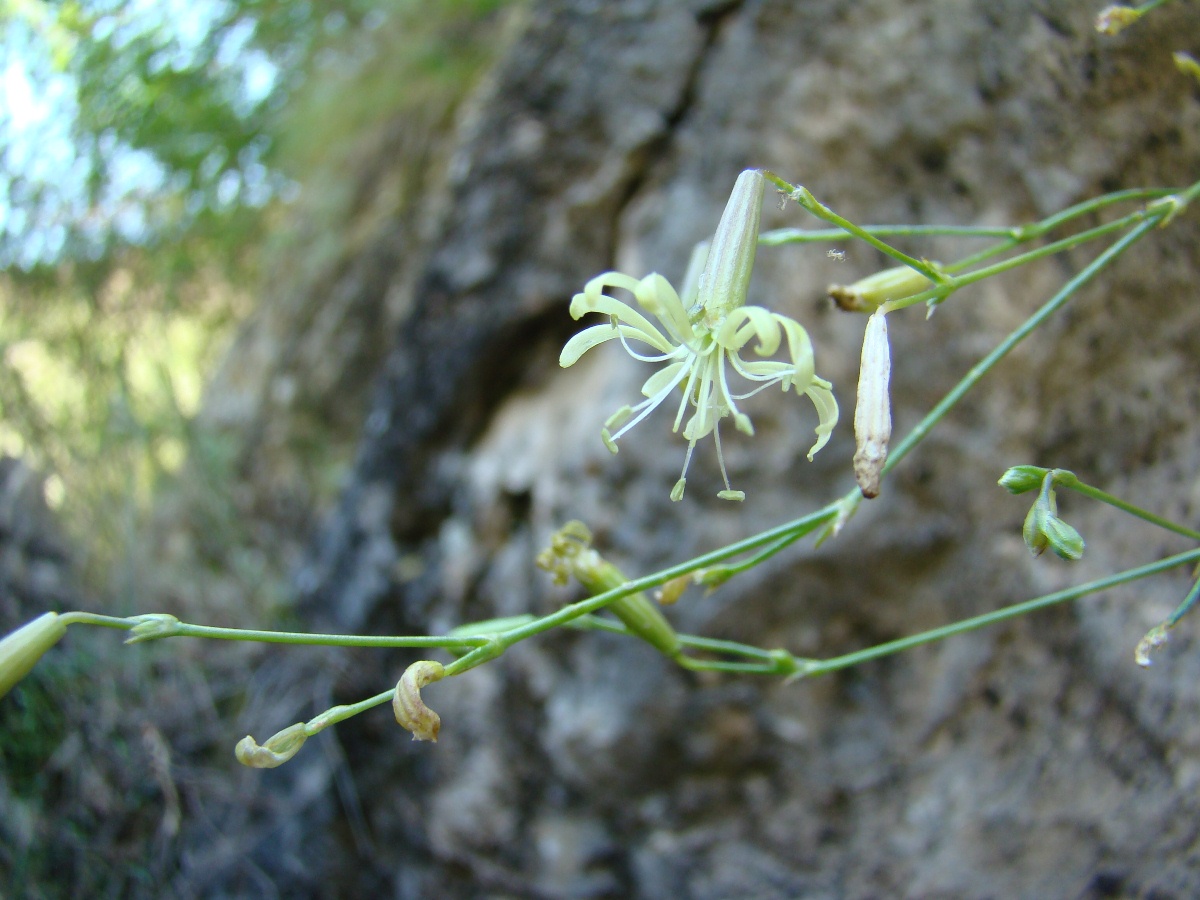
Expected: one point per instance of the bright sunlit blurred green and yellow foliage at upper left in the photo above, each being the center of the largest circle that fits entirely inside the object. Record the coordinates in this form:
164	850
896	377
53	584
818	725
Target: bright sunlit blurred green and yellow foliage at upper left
194	131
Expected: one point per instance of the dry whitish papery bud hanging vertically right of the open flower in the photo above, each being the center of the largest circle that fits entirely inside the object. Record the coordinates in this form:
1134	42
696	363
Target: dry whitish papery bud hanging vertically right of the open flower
873	416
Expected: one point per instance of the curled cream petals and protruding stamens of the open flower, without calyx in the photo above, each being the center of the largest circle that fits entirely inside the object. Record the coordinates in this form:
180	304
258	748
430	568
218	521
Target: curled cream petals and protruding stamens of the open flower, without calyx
697	353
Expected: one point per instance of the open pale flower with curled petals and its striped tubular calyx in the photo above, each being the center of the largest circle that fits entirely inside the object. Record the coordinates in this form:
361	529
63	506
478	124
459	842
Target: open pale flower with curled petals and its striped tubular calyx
701	335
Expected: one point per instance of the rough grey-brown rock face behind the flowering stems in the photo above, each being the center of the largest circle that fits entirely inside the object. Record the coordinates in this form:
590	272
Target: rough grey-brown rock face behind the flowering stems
1027	760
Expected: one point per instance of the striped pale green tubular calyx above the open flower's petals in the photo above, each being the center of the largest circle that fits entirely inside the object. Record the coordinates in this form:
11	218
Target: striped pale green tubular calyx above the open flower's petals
727	277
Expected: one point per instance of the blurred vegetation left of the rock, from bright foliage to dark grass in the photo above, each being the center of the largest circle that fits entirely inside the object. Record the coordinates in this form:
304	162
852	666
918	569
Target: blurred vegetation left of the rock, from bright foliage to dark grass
167	169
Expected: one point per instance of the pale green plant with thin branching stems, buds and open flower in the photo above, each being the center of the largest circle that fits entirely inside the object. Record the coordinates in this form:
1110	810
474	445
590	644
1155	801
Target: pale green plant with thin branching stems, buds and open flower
706	327
